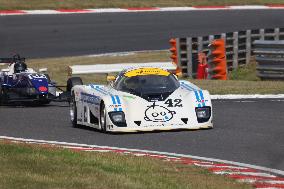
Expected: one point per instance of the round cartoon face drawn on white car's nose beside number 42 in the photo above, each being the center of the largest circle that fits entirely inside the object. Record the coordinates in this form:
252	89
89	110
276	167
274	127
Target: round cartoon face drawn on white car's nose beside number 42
157	113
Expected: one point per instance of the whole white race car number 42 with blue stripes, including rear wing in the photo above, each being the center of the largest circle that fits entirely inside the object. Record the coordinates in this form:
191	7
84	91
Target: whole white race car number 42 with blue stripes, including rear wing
141	98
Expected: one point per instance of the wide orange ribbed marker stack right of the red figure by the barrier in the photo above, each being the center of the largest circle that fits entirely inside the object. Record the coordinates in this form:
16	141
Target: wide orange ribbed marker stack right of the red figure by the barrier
217	64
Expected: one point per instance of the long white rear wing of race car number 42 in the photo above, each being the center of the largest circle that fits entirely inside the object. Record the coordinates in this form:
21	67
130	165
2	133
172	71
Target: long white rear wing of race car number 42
114	68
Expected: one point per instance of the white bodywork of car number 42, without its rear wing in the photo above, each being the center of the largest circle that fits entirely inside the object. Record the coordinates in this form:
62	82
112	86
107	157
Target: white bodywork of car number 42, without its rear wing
125	111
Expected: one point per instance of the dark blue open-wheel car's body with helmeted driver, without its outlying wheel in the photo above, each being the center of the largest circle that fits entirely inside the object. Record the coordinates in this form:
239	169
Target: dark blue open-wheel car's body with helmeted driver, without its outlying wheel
18	83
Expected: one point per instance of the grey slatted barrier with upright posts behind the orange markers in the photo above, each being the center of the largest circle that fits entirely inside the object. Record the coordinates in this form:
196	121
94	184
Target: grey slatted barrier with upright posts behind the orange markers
238	47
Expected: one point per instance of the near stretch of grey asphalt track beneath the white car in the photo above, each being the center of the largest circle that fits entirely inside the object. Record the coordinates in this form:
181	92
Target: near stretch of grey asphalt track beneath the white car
248	132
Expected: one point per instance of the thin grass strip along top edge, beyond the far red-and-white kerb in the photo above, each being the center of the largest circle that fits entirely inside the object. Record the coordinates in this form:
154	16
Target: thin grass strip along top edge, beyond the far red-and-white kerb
76	4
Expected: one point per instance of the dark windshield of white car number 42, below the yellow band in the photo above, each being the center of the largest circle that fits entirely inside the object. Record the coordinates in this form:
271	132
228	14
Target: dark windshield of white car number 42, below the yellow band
147	84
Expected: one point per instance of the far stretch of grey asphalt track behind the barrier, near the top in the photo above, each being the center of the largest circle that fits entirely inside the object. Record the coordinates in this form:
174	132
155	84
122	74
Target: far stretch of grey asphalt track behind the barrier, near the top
84	34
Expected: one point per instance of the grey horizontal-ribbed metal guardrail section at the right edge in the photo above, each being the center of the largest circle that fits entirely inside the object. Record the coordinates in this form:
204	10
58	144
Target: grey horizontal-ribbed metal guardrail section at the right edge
270	58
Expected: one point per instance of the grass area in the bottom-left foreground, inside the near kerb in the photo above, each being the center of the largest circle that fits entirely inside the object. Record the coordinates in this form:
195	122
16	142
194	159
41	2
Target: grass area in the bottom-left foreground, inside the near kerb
34	166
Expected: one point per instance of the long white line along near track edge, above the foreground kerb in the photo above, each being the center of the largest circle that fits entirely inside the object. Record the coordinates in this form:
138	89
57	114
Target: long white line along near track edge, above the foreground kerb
275	171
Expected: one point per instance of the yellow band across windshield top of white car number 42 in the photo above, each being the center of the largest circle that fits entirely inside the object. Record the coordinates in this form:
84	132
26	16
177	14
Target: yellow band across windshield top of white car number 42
147	71
